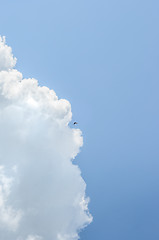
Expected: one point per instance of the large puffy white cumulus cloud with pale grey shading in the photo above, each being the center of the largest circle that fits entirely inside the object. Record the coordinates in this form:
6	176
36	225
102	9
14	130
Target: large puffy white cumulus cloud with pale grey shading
42	193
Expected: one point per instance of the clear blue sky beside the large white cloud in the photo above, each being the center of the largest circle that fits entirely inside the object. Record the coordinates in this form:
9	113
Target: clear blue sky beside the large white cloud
103	57
